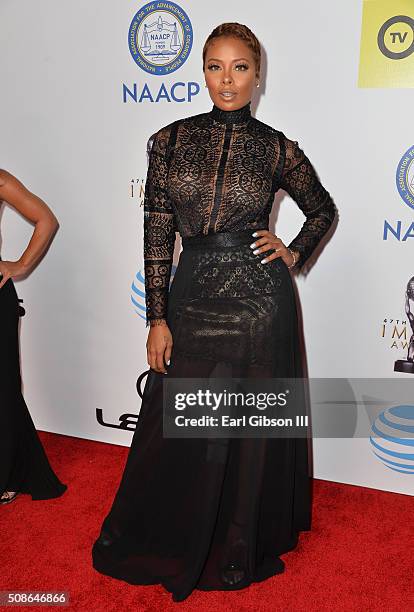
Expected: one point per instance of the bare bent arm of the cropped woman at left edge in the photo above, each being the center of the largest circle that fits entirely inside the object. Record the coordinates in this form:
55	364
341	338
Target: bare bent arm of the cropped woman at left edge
33	209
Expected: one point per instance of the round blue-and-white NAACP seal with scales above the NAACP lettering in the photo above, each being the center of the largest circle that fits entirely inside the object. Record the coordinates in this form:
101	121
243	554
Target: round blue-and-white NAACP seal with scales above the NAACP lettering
160	37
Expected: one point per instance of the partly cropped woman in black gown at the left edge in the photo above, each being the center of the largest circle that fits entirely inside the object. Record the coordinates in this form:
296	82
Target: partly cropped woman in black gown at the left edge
24	467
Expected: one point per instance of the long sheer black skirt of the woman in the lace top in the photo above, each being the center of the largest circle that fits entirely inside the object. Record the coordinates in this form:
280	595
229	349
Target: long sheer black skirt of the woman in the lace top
203	513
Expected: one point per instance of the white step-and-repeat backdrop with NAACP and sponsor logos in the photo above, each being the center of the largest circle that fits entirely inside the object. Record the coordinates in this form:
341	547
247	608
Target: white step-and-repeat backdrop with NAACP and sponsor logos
84	85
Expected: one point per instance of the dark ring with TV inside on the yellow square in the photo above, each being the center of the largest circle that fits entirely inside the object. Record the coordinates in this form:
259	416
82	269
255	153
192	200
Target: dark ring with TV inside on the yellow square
396	37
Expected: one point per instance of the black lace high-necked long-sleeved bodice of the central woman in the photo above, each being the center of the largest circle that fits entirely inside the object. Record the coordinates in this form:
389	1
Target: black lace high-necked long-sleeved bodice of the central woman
219	171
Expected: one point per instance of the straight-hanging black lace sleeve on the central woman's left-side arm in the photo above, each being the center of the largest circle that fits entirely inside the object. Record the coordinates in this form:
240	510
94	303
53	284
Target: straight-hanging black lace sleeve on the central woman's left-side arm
159	232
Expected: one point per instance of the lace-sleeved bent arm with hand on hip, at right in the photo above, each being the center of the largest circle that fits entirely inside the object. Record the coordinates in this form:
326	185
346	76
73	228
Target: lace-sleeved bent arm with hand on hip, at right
300	181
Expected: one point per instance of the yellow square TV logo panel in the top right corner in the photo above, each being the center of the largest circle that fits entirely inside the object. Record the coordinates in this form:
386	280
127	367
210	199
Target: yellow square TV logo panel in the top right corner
387	44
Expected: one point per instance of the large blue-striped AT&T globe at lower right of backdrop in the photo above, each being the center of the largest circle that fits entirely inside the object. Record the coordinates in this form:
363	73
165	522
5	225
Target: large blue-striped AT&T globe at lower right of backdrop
394	438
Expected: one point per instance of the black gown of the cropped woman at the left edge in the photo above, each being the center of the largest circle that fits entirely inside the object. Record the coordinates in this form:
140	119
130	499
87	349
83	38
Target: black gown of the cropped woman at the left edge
24	466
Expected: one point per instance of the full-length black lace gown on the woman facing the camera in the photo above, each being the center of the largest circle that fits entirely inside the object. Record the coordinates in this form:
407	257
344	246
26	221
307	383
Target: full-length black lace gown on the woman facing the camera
216	513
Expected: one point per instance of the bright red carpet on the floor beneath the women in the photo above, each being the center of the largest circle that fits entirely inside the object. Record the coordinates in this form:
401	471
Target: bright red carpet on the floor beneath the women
358	557
